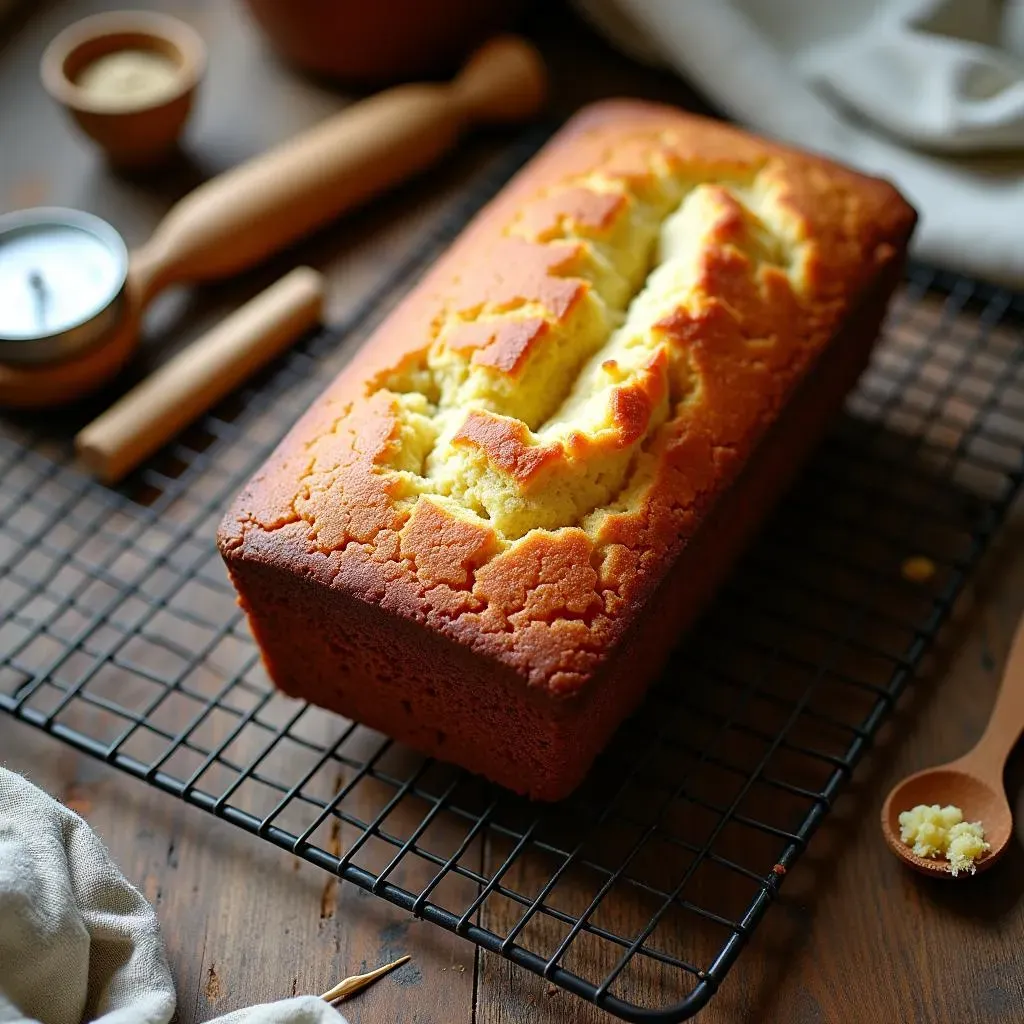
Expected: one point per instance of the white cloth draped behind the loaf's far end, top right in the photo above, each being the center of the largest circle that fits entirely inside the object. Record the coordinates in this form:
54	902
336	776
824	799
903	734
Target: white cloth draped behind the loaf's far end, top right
928	94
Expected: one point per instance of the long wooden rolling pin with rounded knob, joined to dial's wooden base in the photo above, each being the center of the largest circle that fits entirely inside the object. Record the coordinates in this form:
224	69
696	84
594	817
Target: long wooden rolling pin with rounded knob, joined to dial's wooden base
239	219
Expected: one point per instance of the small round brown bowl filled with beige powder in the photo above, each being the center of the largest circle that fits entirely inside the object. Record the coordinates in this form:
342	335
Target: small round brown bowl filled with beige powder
136	111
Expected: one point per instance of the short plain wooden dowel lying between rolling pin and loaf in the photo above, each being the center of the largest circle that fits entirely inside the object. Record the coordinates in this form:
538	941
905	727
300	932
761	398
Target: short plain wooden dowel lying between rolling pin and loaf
150	415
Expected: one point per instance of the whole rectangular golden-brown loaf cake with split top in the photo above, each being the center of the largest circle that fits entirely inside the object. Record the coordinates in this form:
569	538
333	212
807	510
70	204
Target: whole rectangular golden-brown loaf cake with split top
487	535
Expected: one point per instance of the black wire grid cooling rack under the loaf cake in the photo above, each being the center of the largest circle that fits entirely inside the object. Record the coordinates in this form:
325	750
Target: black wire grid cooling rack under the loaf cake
120	635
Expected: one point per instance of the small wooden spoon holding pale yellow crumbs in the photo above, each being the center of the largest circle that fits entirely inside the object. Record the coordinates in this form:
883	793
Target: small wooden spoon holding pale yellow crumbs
974	783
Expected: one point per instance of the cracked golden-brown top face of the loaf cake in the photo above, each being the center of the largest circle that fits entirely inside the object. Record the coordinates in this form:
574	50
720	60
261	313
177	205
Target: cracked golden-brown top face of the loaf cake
385	489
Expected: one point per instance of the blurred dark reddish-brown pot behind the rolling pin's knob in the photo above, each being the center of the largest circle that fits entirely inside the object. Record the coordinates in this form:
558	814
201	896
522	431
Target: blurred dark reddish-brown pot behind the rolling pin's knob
373	42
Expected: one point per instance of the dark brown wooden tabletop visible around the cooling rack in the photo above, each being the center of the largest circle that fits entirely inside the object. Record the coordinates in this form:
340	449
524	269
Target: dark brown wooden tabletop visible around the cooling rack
854	938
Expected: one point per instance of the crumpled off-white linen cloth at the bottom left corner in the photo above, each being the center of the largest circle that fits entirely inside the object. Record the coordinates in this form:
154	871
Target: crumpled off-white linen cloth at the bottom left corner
78	943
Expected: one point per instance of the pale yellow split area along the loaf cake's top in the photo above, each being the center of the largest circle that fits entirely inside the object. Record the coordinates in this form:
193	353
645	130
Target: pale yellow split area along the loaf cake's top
464	416
